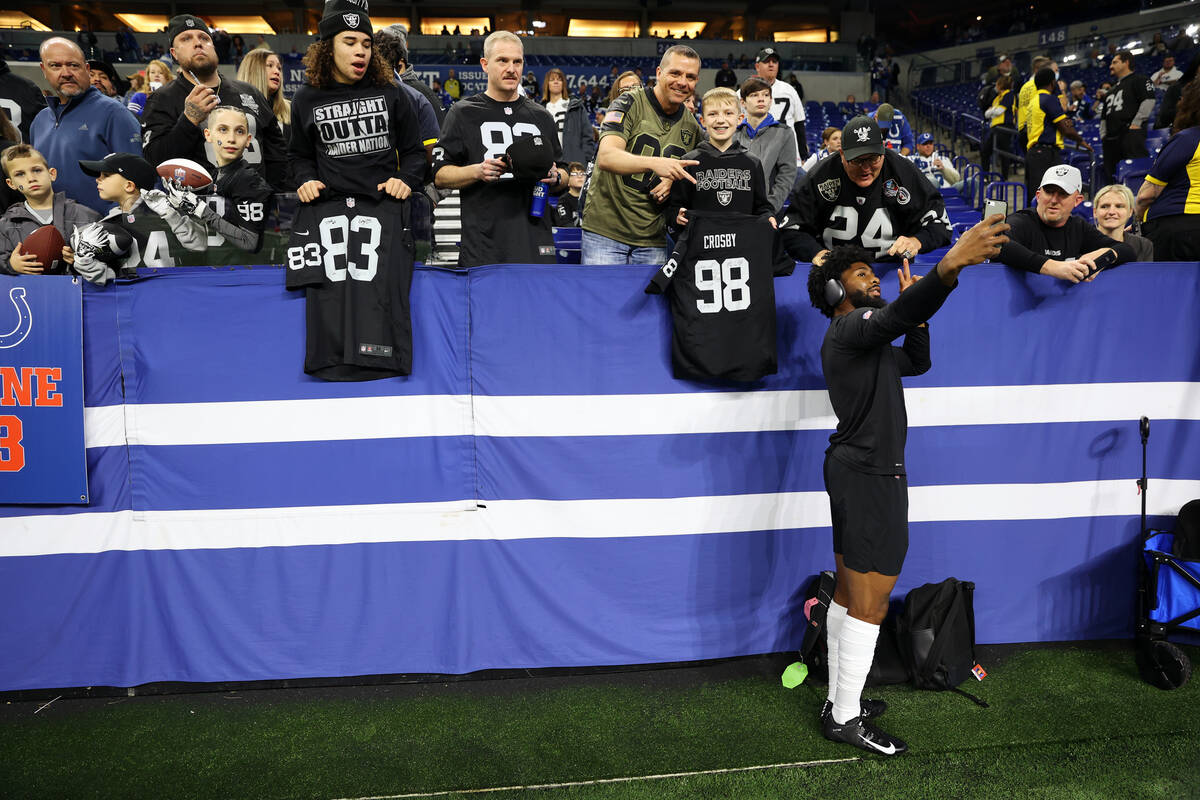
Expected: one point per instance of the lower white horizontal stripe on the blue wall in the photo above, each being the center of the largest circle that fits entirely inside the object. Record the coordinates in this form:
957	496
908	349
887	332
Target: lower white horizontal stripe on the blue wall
517	520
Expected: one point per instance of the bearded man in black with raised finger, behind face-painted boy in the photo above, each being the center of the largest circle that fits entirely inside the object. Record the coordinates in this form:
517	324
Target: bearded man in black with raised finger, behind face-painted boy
173	122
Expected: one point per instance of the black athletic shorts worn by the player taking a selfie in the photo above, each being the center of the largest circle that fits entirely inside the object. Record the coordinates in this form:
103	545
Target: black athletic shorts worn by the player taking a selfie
871	518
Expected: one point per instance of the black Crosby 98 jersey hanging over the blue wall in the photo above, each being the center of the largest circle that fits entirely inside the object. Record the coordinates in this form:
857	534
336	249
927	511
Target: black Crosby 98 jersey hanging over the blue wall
723	297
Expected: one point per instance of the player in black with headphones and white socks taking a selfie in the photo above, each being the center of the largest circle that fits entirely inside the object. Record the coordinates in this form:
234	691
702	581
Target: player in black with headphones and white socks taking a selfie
865	470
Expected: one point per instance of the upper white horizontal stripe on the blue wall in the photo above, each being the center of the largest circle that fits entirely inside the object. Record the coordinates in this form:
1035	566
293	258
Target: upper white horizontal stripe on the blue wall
586	416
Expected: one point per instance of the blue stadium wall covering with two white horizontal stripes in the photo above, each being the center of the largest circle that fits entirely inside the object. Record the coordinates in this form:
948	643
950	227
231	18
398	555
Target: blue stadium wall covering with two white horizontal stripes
542	492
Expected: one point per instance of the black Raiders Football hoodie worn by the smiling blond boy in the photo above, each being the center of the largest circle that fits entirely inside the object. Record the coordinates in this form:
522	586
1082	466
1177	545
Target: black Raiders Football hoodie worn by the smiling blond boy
730	181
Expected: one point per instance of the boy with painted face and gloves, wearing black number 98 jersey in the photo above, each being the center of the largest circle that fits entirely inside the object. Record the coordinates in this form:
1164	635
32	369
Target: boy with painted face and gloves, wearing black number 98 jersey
238	208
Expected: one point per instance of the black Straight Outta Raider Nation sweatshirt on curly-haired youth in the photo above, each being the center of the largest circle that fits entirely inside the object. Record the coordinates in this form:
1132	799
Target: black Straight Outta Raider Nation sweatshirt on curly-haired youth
353	139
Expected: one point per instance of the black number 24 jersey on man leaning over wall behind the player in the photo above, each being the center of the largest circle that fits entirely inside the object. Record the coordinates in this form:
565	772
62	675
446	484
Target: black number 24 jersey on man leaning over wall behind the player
829	210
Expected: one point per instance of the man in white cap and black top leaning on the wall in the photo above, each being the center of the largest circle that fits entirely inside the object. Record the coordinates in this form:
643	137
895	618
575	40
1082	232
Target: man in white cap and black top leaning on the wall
1051	240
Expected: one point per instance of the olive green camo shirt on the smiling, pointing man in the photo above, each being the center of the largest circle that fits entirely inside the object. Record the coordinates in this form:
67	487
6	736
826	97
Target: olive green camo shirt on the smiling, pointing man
620	207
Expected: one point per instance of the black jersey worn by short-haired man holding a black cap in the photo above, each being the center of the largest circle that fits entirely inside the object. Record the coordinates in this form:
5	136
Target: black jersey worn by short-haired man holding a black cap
497	227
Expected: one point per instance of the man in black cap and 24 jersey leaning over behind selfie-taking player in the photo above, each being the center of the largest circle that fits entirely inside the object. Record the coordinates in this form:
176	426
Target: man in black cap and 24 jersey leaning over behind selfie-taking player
871	197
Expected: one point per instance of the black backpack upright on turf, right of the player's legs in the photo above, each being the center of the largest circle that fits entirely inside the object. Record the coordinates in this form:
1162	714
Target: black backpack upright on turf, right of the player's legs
939	623
